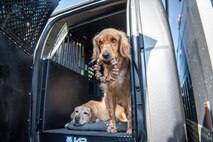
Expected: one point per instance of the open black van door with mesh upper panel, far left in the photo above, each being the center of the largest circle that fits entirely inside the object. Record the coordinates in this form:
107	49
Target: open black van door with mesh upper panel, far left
21	24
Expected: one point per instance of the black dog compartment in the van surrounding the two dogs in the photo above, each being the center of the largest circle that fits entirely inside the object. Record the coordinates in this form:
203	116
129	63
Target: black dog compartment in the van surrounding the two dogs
68	76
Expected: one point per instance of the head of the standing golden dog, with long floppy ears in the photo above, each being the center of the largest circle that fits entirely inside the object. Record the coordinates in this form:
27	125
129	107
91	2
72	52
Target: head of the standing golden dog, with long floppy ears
110	44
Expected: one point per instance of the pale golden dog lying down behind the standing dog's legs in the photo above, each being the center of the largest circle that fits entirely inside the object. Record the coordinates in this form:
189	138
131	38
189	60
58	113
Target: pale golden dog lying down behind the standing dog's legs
94	111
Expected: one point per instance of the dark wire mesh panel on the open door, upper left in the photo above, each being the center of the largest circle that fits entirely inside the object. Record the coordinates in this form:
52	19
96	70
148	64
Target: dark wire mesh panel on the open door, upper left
24	20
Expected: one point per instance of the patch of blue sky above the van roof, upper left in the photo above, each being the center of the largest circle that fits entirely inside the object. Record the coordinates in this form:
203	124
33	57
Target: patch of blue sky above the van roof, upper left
67	3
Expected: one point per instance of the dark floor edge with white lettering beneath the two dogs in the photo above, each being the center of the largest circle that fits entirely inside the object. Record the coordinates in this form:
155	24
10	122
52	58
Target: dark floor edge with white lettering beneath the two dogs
65	135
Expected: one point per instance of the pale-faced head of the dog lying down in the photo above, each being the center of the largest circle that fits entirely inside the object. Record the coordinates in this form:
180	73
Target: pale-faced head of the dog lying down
82	115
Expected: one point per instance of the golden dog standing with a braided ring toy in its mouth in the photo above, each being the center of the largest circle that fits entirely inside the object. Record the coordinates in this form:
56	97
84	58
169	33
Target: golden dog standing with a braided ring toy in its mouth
111	51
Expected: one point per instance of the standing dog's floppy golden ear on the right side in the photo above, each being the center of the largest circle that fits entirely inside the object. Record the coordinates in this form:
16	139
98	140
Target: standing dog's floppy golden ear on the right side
124	45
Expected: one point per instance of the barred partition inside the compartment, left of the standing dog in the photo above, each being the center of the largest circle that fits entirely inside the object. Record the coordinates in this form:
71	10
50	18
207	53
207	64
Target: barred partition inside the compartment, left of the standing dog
73	54
